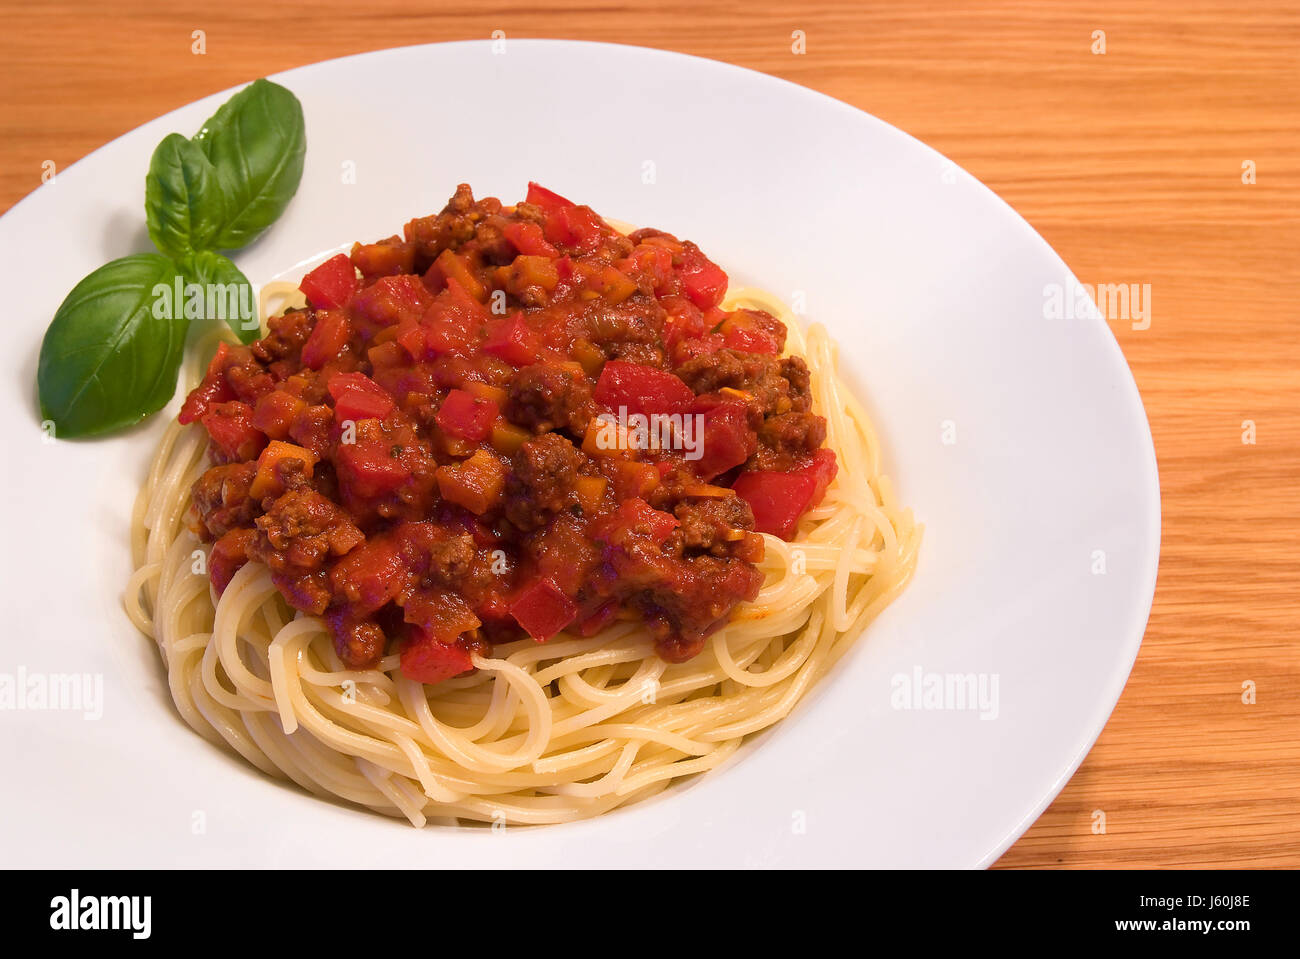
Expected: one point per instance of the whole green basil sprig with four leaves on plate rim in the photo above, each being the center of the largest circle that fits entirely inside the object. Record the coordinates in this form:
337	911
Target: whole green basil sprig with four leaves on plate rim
112	353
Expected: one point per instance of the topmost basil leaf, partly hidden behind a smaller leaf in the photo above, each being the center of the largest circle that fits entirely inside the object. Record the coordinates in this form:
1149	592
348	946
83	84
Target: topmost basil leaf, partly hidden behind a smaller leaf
257	142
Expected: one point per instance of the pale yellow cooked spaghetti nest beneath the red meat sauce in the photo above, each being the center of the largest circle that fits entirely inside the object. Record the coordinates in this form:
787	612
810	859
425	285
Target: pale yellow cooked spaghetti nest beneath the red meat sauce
540	732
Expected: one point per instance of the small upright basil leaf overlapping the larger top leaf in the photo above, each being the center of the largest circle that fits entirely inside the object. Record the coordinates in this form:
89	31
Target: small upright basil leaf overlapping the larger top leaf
184	199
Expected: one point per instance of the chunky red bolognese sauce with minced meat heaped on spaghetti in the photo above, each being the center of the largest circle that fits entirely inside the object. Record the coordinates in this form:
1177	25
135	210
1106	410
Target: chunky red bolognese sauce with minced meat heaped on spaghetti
421	455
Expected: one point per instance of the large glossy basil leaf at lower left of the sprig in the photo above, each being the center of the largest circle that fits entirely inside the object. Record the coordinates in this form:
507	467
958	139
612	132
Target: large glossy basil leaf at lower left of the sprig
112	353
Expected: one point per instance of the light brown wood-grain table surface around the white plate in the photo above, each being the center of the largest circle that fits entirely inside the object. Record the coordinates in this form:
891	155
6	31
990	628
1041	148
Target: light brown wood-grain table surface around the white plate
1130	163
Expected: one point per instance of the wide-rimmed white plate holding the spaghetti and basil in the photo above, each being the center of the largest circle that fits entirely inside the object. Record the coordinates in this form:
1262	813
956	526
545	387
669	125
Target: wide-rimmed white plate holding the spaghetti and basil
934	288
